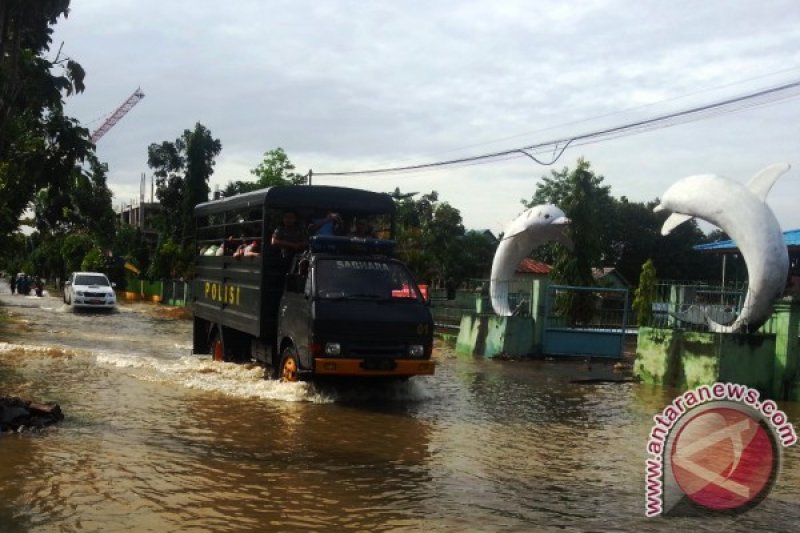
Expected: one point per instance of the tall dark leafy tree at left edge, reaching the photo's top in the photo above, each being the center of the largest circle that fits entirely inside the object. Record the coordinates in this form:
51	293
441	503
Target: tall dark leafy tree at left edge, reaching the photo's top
39	146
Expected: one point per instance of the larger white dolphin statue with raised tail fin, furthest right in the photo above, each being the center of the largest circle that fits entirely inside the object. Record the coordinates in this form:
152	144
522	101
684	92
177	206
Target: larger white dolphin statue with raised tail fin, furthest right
740	211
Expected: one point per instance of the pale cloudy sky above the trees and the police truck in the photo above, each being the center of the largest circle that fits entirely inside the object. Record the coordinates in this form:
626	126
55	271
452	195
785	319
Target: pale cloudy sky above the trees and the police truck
350	85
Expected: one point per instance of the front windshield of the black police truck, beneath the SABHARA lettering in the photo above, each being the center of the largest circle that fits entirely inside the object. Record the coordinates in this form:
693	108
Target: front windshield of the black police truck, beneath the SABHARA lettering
364	279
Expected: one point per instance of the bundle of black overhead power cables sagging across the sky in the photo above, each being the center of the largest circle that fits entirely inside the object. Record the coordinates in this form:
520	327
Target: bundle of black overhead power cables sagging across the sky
731	105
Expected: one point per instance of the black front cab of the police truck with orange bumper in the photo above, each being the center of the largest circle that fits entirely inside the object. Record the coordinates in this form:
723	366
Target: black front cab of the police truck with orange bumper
350	309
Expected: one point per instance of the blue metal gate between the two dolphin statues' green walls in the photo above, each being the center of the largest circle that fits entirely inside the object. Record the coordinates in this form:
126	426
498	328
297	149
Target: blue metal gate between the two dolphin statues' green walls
585	321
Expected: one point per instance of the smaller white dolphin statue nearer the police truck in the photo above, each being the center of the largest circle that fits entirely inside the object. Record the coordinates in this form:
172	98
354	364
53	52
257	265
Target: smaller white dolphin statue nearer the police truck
534	227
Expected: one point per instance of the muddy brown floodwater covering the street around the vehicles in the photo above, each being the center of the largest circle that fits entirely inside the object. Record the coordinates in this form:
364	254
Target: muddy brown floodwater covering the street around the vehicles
156	439
